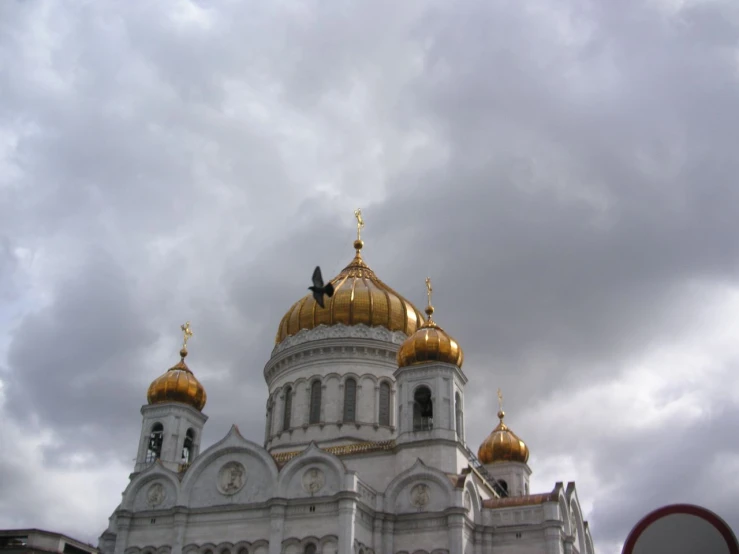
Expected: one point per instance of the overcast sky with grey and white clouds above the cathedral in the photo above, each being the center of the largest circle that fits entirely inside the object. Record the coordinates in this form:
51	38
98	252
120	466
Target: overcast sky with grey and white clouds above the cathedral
566	172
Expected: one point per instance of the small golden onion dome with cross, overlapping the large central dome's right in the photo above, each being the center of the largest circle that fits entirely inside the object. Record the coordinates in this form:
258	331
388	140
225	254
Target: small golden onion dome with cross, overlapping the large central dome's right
430	343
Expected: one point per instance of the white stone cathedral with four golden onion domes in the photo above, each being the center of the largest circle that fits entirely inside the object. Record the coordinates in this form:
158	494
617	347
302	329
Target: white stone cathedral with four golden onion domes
364	449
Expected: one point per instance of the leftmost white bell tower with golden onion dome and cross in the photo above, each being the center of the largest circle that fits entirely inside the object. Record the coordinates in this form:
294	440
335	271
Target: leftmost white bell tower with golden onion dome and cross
172	420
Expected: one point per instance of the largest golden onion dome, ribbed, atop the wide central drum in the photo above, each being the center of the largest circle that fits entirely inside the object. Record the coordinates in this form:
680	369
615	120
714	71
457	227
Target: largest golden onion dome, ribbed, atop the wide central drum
359	298
